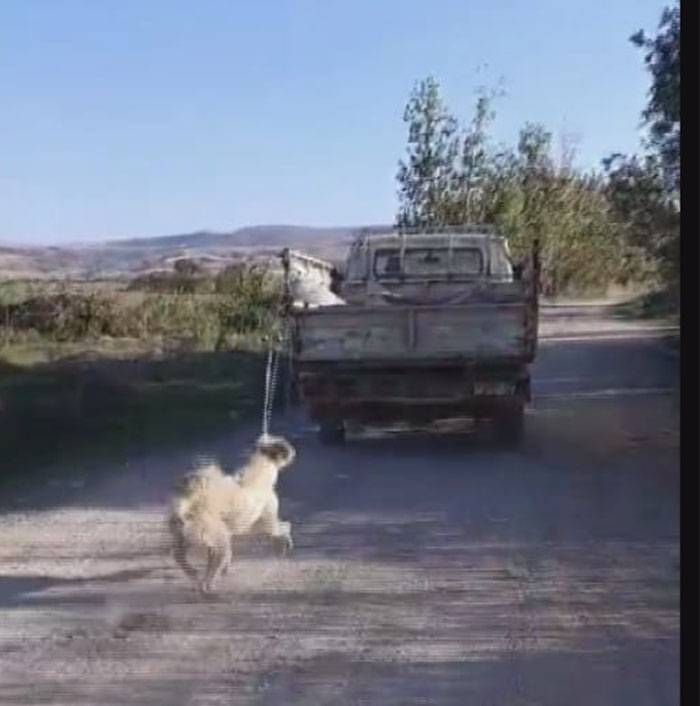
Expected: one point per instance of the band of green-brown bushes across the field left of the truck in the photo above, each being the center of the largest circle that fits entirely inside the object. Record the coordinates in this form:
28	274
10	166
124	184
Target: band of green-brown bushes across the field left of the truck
240	301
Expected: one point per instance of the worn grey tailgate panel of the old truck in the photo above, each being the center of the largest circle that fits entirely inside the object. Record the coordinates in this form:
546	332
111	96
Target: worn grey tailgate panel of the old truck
412	333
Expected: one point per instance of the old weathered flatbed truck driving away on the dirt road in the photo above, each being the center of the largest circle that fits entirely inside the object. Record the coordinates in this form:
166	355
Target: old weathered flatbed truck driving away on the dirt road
416	326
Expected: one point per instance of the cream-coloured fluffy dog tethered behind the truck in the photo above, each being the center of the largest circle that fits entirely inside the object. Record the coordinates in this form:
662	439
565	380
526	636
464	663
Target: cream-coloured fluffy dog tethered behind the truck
210	508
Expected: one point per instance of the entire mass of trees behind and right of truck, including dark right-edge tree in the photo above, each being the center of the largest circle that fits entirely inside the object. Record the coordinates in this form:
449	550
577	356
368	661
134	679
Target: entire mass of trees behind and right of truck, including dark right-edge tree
593	228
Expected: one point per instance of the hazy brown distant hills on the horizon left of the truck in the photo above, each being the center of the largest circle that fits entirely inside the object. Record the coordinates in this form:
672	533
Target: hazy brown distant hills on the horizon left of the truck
127	258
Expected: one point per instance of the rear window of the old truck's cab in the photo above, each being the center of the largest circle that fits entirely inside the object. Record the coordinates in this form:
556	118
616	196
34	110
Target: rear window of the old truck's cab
427	262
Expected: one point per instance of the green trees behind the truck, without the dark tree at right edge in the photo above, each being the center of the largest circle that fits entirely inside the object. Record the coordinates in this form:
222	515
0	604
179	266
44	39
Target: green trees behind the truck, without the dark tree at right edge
520	188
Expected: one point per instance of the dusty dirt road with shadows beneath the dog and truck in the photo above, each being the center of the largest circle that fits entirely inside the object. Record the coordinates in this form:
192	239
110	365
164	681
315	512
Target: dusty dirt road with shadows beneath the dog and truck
427	569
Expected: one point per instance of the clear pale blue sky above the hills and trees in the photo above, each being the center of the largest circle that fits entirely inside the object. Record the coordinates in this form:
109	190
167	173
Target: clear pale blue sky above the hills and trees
128	118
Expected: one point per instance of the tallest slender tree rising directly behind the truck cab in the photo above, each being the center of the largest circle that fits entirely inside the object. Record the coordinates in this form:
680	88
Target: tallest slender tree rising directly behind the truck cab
427	176
